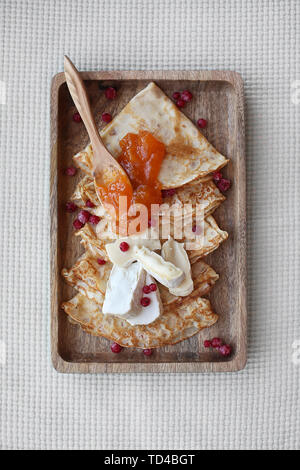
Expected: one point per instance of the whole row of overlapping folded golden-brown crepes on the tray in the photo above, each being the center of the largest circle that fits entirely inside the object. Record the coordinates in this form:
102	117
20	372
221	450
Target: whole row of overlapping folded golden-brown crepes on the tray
188	166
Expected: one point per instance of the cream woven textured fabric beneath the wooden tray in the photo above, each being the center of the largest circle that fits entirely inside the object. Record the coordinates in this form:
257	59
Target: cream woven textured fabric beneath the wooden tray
258	408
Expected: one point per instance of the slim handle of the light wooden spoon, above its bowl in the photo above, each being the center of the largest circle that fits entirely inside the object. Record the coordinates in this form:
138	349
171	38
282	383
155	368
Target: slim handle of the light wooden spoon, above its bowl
81	100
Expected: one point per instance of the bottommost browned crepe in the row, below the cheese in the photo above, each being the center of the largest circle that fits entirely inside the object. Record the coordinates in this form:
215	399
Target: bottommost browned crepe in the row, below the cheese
173	326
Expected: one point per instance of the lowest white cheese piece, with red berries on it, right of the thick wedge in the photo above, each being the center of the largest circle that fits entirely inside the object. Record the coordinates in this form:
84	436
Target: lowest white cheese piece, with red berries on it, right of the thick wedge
145	315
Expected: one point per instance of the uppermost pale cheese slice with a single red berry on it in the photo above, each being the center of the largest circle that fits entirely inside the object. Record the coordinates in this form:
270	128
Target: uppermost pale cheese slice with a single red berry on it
125	258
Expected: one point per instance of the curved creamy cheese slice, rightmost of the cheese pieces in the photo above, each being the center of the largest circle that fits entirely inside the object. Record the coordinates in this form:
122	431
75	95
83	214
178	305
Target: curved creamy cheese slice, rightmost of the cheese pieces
175	253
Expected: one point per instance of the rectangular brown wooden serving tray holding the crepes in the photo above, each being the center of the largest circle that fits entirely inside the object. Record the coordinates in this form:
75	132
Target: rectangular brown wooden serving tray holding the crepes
217	97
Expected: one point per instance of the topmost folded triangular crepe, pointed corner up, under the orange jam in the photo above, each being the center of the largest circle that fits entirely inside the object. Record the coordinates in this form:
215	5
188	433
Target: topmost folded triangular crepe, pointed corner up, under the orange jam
188	153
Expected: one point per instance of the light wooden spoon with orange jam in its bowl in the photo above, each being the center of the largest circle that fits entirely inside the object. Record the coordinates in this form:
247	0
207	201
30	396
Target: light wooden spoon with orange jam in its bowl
106	169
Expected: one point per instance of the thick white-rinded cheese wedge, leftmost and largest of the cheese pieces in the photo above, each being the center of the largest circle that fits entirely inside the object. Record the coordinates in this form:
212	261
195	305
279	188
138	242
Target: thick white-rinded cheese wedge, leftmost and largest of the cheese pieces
124	289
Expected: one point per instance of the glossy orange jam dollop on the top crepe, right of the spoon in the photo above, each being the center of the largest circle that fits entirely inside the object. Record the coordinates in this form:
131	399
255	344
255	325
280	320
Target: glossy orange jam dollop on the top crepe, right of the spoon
141	157
